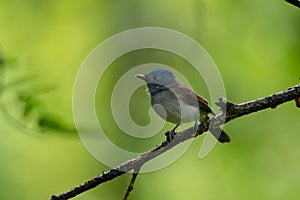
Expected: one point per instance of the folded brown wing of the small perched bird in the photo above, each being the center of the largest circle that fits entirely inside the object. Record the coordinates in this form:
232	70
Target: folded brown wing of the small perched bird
186	95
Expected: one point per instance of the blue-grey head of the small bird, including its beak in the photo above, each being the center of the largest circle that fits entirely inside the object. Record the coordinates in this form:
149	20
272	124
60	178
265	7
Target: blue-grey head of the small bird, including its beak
159	76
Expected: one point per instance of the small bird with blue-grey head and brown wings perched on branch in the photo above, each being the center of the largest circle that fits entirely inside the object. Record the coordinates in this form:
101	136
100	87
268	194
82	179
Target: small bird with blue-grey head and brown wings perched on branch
177	103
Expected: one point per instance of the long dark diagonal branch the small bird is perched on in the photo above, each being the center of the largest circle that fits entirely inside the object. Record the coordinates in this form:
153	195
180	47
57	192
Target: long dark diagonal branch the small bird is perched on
230	111
